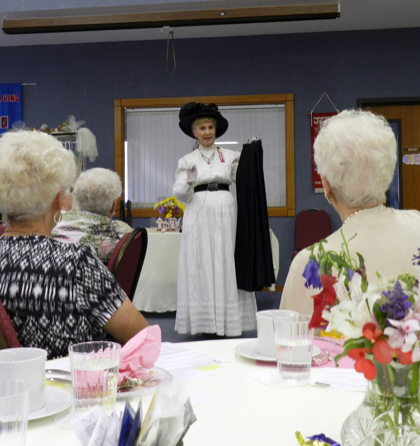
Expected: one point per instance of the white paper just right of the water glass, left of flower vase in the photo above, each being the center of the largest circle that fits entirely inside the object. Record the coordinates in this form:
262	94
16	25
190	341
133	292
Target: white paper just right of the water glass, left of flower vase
340	379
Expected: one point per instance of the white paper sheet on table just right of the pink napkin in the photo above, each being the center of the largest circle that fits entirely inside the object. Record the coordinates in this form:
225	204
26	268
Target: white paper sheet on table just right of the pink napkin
174	358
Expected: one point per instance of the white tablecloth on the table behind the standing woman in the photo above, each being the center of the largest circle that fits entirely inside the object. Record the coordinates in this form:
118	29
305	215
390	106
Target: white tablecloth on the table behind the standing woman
157	287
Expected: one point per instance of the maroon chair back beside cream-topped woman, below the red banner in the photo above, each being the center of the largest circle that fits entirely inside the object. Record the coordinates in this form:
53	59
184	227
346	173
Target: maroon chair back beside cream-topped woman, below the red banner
311	226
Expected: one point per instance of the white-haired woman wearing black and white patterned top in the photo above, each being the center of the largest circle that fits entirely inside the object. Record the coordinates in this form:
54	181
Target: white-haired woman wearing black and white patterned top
55	294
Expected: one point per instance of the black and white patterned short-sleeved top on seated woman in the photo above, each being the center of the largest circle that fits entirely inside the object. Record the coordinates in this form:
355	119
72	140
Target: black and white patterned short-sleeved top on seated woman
56	294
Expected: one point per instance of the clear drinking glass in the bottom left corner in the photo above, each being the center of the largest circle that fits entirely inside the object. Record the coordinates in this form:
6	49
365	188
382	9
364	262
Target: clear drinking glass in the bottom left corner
14	409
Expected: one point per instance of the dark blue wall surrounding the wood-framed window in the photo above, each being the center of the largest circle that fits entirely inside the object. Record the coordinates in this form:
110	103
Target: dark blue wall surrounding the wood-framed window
84	80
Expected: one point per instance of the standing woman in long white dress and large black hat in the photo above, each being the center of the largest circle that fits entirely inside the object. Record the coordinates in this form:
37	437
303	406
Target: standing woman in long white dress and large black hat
208	298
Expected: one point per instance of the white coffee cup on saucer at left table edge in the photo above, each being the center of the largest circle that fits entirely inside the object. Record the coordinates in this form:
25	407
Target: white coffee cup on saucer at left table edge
26	364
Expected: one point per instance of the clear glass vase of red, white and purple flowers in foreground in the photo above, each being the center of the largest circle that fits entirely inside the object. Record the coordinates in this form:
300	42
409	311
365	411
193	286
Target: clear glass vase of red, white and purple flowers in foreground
381	324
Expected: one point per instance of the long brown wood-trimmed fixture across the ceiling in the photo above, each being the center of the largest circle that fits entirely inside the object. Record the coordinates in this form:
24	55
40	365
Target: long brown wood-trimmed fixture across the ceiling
174	14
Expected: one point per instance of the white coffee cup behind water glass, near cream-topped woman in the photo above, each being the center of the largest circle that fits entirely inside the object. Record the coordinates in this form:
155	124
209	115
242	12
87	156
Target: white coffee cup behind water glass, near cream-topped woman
266	345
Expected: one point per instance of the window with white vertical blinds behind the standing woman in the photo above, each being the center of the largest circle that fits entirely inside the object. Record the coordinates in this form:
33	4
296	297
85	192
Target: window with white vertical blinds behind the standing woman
154	144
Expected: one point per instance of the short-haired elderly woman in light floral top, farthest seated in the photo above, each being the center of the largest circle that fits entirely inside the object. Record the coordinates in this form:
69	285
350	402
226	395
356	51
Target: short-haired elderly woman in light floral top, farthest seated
96	192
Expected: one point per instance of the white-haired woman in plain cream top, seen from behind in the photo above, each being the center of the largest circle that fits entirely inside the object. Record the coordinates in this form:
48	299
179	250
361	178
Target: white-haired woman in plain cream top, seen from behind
355	154
